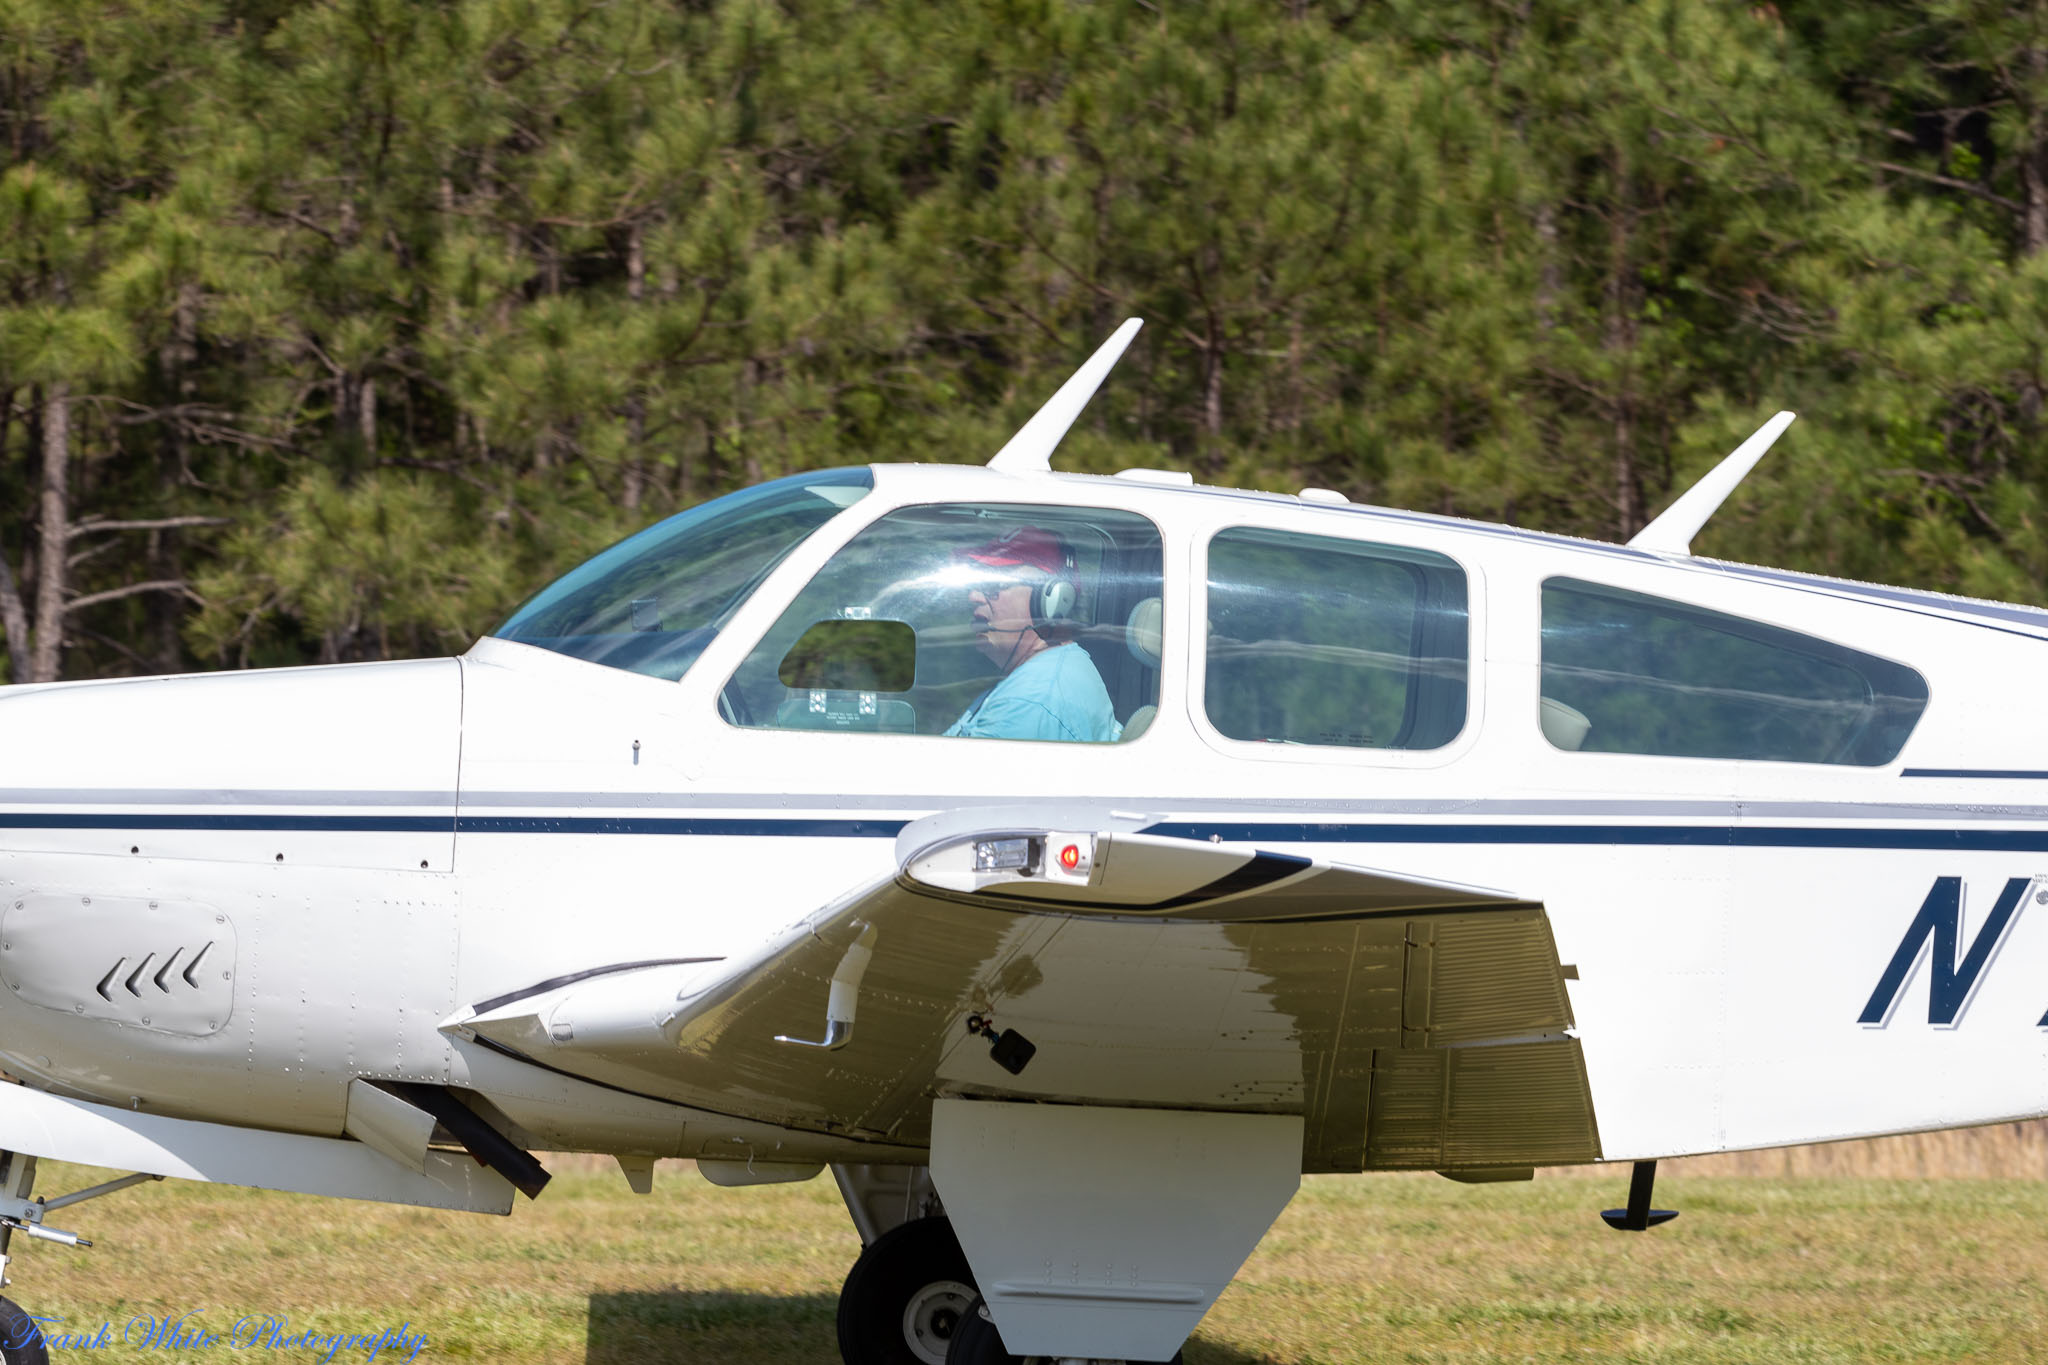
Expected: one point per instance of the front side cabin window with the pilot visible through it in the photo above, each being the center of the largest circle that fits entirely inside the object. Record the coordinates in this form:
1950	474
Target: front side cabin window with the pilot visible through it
974	621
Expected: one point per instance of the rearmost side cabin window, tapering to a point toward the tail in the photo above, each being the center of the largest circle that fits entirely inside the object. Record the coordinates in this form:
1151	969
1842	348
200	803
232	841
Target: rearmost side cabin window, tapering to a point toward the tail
1633	674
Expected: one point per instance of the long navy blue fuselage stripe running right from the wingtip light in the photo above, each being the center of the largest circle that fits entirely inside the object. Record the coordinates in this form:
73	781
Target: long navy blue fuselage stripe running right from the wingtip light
1654	836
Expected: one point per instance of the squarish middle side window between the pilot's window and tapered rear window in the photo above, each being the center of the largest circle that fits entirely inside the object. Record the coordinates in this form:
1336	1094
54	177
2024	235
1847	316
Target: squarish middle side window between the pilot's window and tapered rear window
1326	642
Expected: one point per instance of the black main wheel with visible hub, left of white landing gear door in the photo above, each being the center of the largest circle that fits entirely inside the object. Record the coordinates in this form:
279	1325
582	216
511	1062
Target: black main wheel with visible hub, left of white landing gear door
906	1296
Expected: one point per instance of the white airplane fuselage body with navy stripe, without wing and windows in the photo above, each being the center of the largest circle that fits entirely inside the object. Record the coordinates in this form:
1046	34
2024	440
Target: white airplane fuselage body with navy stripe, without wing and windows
392	844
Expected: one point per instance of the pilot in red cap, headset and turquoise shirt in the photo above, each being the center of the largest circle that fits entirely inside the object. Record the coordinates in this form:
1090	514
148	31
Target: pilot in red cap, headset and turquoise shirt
1023	607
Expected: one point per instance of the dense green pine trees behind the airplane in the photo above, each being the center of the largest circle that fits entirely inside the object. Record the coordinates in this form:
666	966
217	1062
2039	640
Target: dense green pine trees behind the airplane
433	300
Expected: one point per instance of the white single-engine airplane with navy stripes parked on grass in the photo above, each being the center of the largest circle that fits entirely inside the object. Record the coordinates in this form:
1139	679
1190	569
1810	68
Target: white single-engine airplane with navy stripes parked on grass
1066	863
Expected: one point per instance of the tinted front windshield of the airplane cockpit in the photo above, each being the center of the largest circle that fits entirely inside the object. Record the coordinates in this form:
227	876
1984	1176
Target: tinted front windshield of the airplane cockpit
652	603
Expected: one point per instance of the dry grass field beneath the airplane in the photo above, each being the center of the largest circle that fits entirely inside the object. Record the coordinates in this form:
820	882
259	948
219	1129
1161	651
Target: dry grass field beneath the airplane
1381	1268
